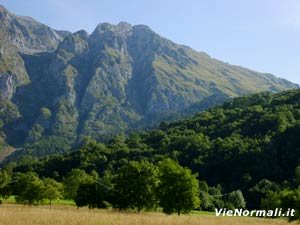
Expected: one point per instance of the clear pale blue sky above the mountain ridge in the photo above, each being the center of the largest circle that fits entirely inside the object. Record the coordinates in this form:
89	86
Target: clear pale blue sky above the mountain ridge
263	35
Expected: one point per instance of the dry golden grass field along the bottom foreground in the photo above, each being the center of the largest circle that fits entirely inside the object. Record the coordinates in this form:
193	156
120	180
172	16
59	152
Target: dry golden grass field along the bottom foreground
12	214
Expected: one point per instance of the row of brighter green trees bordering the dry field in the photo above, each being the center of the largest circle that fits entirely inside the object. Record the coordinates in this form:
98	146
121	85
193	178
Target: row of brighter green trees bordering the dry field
137	185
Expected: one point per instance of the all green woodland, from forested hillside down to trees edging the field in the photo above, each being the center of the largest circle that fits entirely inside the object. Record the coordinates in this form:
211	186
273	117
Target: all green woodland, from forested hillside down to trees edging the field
242	154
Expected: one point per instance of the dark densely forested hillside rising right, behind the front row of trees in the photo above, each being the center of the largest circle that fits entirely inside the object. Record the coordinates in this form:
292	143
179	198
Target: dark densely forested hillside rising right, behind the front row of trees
251	143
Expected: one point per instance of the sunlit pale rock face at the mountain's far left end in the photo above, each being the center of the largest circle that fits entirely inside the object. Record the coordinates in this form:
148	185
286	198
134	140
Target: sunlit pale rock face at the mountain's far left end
21	35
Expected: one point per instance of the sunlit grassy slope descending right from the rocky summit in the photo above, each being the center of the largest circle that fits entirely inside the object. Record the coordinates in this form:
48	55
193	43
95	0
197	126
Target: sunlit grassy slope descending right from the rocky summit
199	72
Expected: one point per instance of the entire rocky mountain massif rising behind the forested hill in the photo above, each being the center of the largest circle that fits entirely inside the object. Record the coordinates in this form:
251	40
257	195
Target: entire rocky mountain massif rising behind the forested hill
57	87
